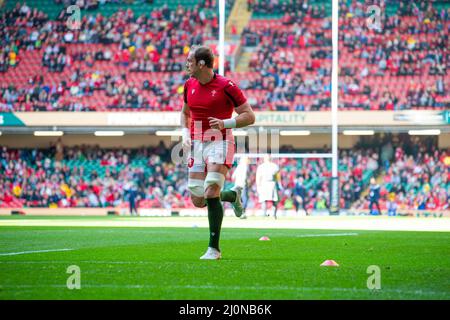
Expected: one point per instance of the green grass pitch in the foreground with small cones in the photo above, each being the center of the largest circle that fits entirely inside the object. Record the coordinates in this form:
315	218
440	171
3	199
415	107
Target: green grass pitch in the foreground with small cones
163	263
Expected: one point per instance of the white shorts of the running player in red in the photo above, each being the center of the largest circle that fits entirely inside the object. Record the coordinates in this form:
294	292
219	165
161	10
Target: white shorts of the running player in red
202	153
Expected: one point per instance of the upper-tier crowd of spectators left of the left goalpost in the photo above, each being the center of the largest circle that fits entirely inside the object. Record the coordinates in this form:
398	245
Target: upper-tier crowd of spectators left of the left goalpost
146	43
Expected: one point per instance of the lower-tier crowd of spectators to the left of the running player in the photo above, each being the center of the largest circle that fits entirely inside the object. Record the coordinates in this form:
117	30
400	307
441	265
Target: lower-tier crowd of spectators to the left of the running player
97	178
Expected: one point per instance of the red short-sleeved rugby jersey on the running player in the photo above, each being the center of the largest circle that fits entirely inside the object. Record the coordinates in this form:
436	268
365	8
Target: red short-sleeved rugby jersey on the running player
216	99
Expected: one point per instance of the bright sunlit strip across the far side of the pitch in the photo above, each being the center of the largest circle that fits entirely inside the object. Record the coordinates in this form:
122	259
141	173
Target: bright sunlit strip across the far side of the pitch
335	223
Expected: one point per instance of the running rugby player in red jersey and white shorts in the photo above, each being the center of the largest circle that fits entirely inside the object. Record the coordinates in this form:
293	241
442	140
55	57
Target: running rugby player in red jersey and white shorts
206	120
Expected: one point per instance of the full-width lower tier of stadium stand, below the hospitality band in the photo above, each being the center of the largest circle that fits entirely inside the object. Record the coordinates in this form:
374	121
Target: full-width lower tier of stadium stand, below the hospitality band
414	176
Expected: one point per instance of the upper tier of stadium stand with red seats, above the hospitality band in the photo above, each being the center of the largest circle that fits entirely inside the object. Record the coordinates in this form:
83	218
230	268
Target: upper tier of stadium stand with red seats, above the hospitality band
127	58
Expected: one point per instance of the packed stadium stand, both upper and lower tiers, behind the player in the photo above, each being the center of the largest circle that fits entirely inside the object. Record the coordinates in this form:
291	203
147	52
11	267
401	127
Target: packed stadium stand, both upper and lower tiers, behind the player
127	57
